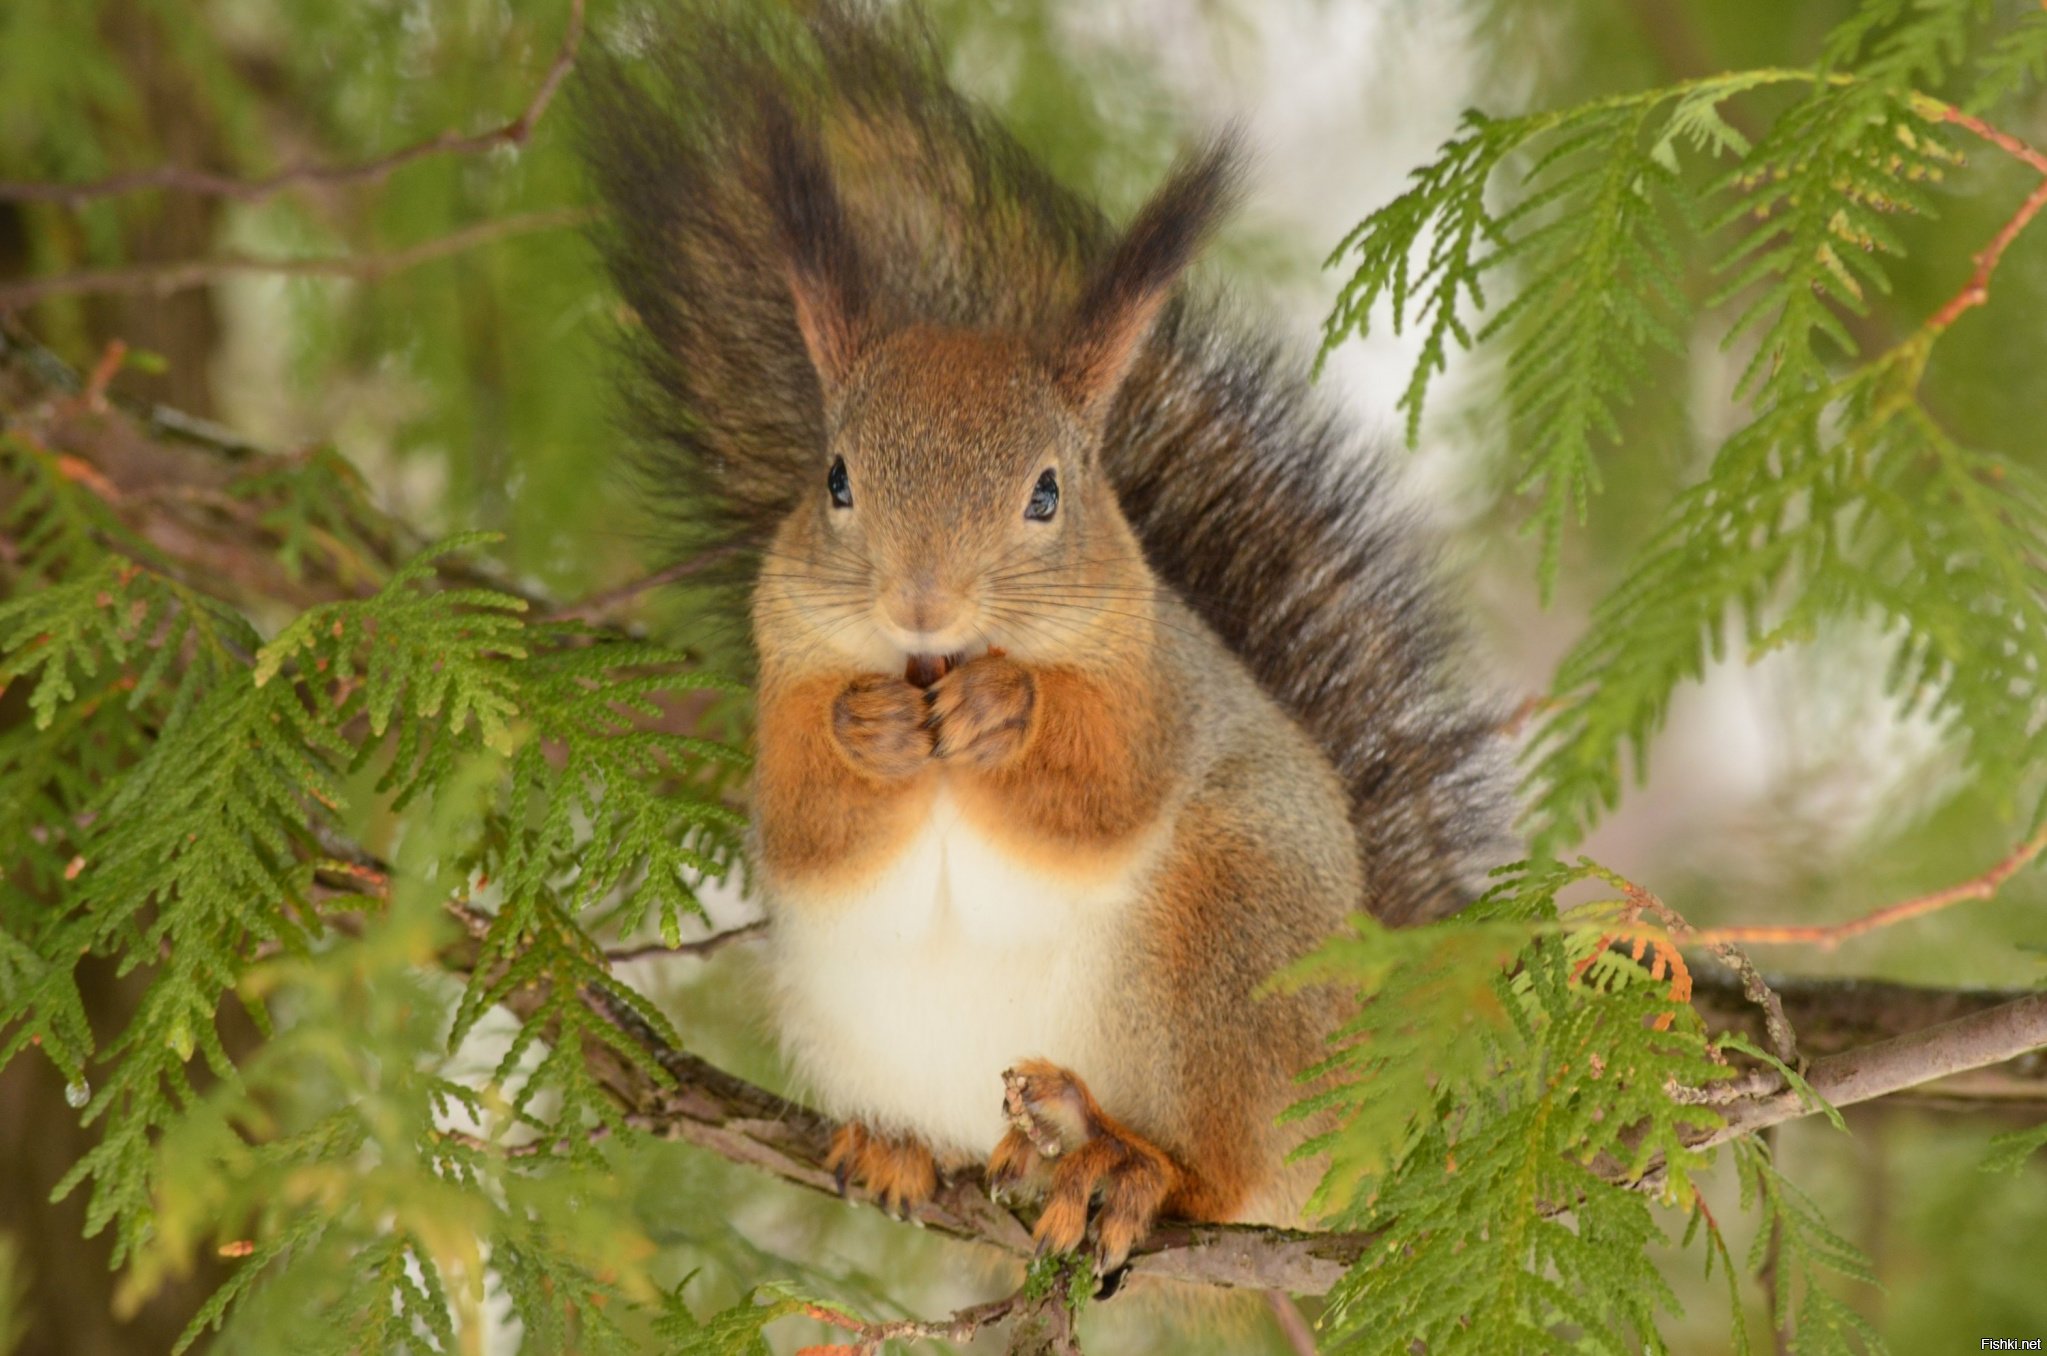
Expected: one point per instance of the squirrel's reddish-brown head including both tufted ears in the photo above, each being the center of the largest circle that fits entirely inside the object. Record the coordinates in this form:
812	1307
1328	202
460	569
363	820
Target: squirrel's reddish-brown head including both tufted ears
959	499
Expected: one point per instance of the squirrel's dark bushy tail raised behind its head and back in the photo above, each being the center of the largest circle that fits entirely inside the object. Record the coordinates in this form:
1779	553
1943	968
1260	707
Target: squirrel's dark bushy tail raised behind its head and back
1254	501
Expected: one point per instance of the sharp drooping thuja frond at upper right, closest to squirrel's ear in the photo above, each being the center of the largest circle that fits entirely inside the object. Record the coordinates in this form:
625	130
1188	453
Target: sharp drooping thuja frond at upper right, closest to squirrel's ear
1585	253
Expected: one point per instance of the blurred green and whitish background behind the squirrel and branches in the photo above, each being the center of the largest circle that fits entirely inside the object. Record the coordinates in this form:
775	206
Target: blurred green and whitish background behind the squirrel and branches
472	390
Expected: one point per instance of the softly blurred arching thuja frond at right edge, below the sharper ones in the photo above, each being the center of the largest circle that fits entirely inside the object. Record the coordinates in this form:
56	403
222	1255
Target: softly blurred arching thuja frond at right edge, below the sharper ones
1845	505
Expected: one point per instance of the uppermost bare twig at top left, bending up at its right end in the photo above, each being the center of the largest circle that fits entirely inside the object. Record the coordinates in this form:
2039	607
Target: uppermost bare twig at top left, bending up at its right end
208	183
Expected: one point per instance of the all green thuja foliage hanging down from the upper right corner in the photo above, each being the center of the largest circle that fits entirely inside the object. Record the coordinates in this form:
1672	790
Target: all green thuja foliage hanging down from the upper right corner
1841	499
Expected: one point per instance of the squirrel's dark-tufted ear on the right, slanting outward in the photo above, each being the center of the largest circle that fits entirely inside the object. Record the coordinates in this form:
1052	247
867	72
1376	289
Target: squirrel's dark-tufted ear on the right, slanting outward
1125	296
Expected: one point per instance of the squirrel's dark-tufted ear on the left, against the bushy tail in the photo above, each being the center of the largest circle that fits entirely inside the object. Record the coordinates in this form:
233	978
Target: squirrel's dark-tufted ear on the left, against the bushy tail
826	278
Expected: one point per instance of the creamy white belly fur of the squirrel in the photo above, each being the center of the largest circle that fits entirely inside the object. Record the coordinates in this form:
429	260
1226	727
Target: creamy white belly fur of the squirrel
904	1003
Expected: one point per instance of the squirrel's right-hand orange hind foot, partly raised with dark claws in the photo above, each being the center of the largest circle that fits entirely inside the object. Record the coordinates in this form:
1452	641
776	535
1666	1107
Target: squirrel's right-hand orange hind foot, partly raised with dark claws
1080	1156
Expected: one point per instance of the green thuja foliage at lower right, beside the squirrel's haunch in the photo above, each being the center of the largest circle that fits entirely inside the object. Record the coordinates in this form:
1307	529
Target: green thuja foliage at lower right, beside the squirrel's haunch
1501	1117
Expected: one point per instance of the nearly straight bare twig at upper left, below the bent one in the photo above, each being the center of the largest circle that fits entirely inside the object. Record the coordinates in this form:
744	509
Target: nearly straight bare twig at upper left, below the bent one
185	276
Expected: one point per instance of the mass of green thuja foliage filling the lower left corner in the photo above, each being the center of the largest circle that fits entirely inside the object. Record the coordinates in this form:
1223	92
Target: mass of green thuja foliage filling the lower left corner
204	804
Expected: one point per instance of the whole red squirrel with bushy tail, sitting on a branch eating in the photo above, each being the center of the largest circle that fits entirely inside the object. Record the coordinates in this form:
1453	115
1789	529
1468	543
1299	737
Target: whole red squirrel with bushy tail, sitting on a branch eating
1098	679
